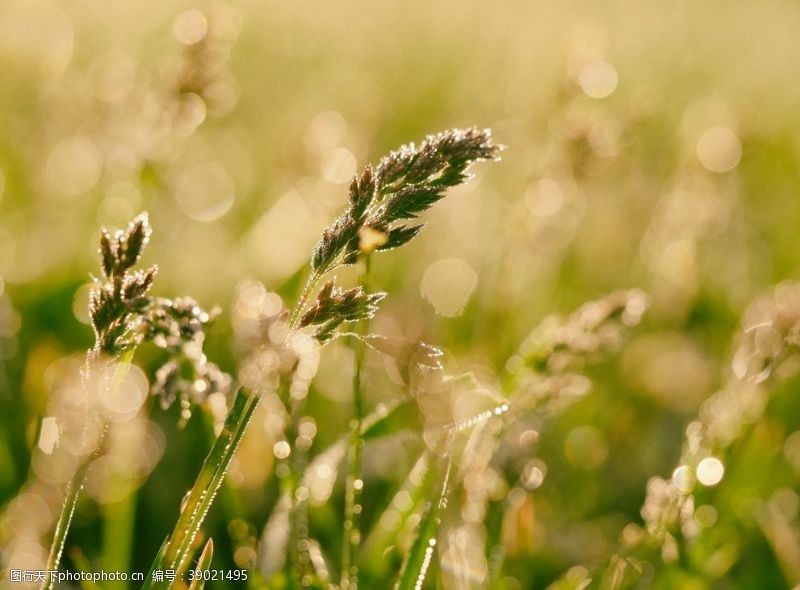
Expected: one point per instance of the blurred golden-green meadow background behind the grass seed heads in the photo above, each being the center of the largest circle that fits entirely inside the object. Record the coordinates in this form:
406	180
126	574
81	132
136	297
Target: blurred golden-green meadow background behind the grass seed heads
650	145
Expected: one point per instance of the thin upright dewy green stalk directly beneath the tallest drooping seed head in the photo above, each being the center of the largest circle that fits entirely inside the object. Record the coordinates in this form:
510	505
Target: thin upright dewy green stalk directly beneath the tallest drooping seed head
354	484
